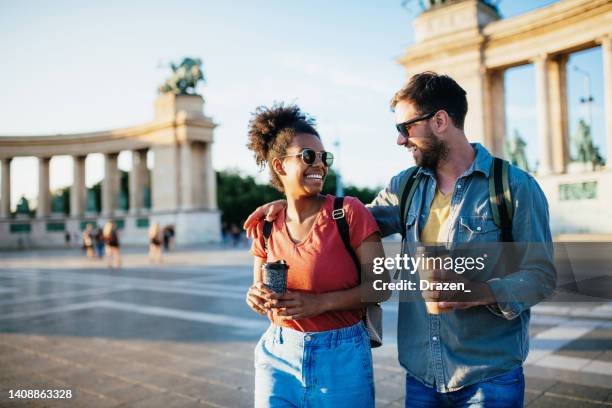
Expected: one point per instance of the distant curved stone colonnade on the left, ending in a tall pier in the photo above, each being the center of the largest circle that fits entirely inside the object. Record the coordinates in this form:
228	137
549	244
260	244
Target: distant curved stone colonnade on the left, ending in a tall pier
182	181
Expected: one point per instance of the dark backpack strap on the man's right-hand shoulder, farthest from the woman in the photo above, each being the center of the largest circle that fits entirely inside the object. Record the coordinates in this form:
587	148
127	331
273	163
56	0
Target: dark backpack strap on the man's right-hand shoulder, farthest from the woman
501	197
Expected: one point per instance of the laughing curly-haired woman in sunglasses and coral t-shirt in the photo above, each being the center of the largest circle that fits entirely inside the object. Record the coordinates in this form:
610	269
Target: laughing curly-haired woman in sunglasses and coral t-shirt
316	352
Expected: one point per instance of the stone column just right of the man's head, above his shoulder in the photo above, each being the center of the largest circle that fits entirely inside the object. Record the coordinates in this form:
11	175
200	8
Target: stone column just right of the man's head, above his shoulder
495	113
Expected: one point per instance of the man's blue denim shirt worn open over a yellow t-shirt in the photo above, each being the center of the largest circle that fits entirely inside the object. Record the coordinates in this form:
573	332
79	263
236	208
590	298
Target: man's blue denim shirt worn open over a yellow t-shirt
463	347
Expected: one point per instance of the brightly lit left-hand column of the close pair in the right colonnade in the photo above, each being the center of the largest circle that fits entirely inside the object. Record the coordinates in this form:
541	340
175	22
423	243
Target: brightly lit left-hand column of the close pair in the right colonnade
543	109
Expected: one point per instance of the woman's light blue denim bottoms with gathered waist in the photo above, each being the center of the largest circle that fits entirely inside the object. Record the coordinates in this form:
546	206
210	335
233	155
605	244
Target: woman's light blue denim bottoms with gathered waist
321	369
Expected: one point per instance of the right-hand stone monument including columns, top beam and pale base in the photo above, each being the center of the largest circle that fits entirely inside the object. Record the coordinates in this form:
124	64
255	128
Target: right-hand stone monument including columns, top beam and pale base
468	40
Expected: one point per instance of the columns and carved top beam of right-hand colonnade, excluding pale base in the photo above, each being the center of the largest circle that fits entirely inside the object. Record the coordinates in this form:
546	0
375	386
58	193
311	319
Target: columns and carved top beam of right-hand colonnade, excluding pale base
470	42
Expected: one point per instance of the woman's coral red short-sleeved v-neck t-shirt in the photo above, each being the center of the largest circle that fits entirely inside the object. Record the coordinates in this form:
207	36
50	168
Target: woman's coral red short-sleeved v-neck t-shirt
320	263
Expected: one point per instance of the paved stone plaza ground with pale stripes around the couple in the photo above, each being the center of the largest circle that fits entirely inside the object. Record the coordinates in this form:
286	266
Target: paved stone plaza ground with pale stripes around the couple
180	335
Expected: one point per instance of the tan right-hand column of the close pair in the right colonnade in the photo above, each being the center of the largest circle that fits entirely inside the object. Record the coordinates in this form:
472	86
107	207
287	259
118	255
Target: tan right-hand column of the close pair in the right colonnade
557	94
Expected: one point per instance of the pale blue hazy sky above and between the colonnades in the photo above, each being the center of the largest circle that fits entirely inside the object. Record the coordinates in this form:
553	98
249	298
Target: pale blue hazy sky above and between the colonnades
71	67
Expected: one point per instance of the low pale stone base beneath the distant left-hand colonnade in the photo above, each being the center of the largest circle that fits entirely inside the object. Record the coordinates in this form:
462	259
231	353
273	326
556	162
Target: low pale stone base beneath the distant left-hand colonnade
191	228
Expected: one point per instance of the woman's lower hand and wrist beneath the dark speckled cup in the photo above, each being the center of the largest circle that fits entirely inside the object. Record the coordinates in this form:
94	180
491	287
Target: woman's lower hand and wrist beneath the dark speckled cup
296	305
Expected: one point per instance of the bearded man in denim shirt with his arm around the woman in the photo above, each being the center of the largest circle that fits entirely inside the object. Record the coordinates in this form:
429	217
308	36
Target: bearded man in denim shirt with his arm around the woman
471	355
